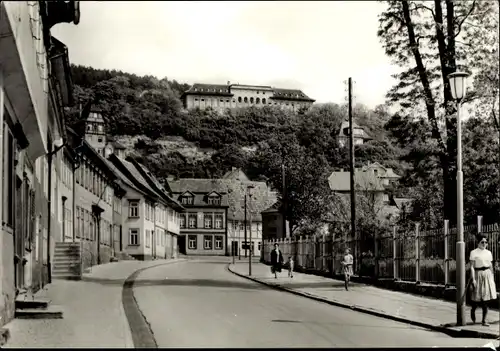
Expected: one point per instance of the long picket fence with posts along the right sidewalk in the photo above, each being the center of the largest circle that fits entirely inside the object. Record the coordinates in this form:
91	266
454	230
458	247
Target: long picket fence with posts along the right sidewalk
415	255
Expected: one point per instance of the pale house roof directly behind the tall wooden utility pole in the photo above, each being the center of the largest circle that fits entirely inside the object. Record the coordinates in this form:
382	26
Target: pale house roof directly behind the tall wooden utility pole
364	181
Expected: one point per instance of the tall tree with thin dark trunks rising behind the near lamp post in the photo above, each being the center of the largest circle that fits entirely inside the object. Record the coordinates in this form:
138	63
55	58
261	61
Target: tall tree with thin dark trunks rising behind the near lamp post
428	40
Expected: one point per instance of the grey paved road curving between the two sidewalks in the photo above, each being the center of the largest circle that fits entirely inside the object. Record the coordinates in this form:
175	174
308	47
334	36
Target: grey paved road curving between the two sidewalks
200	304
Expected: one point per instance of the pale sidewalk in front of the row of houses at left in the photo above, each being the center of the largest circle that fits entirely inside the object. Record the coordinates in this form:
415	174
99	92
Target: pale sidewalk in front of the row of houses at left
93	311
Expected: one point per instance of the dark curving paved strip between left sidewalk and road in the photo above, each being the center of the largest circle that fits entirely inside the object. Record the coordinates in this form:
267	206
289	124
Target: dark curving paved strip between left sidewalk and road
142	334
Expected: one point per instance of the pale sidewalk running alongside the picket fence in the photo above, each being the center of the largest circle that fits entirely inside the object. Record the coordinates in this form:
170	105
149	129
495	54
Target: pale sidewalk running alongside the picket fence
421	311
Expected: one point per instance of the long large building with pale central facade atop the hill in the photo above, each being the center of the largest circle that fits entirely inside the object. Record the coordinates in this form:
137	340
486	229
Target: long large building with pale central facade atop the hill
236	95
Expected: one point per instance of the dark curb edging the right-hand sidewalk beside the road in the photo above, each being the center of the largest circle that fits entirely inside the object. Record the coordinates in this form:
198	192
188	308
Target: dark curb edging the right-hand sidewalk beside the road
457	333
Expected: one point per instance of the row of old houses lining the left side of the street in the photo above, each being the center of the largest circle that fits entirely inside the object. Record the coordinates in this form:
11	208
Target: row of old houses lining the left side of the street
67	203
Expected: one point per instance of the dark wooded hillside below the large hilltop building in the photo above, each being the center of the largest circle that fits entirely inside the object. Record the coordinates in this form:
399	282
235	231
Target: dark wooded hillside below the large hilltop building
146	114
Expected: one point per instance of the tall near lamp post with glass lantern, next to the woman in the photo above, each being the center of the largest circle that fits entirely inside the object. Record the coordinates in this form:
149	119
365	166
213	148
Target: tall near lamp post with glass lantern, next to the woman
458	87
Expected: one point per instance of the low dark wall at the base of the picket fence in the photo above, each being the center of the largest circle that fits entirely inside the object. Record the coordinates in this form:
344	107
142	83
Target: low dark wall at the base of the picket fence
447	293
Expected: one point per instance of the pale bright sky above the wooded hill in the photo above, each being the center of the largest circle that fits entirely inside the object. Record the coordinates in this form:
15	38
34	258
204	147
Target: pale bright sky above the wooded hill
312	46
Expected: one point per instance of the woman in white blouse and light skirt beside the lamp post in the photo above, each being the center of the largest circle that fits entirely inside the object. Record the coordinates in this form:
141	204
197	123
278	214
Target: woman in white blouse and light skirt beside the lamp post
482	278
